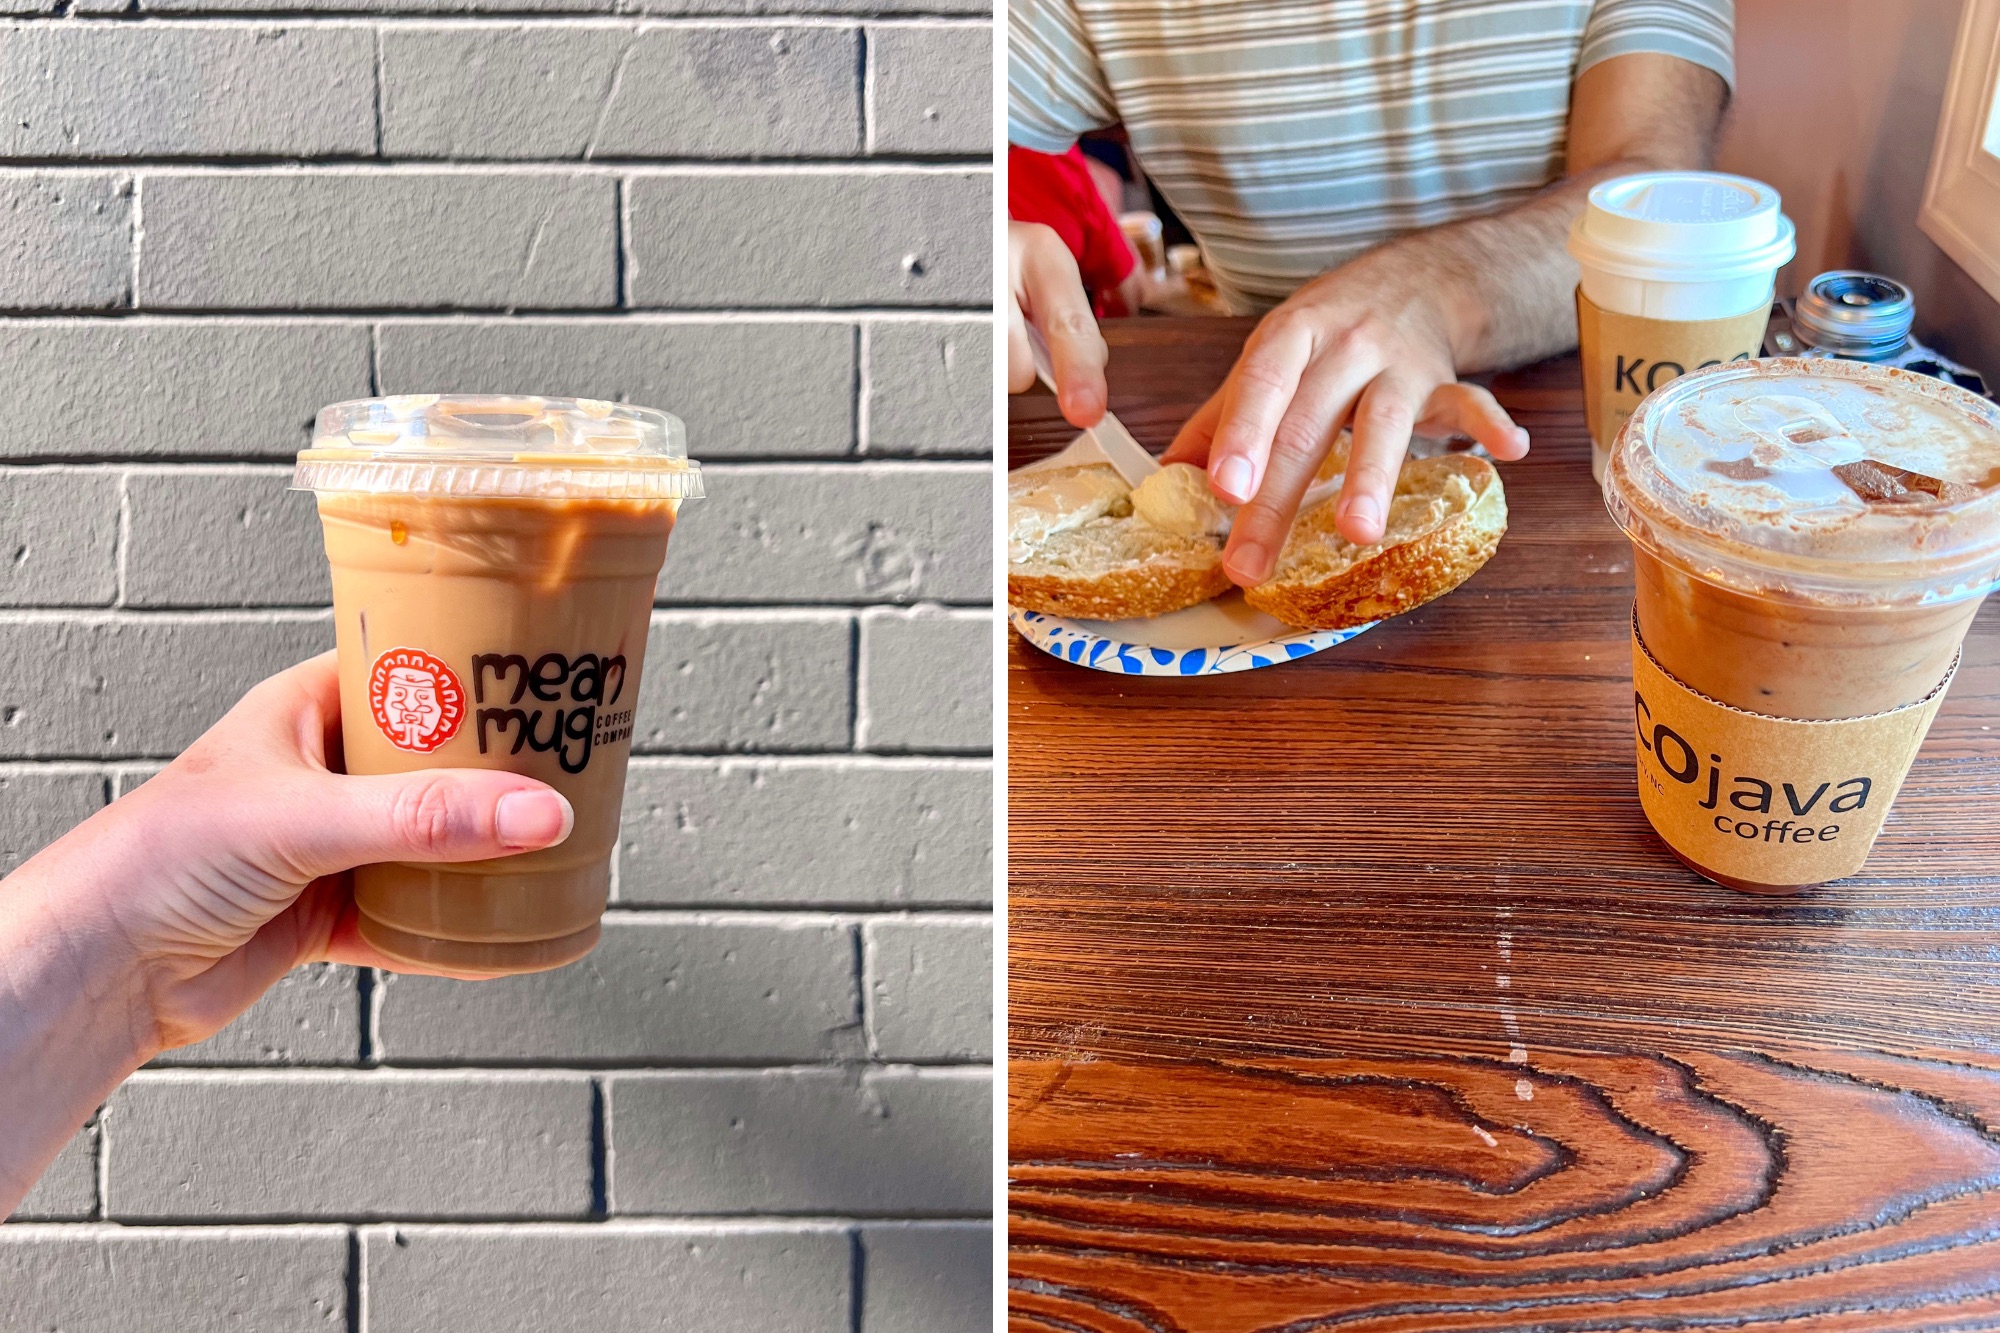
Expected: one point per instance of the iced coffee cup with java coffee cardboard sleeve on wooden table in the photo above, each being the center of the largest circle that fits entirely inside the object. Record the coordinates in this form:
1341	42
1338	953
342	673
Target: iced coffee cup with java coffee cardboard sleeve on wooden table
1811	541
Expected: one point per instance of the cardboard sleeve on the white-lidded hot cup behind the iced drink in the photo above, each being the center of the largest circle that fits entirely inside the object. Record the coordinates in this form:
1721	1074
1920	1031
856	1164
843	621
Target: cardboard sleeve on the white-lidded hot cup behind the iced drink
1631	355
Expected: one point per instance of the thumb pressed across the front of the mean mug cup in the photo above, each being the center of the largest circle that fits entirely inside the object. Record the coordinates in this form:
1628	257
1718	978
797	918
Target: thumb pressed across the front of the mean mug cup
433	816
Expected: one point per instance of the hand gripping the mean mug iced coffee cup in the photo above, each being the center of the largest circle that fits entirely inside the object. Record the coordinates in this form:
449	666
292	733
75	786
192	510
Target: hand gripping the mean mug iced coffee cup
193	896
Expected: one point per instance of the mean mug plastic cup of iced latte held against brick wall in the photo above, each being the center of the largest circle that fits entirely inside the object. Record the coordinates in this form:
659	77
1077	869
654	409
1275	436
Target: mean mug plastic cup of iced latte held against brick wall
495	567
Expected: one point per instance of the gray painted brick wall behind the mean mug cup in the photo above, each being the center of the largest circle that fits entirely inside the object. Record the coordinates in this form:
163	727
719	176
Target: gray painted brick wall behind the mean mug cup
765	1100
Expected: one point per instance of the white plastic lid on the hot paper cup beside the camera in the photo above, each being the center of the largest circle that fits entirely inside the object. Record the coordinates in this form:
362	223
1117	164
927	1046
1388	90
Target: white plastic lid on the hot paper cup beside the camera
1683	227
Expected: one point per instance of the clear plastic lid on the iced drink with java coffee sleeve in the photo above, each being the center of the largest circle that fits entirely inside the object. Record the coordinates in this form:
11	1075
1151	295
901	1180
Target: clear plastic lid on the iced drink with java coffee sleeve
1815	479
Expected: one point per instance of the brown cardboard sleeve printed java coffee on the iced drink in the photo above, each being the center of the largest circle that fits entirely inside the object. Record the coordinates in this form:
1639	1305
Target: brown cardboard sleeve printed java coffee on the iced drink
1761	802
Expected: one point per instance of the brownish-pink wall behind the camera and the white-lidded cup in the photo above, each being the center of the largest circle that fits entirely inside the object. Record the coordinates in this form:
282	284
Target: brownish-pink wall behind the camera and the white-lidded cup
1837	107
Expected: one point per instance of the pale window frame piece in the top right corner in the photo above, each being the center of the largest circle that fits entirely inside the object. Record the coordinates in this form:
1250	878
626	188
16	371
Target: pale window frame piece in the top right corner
1961	209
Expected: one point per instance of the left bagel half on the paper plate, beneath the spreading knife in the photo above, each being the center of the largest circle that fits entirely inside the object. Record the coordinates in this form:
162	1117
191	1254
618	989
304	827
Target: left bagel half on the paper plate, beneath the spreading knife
1075	555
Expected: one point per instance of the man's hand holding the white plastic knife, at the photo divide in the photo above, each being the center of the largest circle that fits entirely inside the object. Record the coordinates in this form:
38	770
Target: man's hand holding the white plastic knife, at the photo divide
1047	289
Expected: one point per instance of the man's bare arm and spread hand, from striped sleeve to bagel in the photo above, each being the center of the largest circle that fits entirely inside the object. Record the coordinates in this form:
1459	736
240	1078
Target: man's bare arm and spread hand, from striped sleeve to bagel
1381	341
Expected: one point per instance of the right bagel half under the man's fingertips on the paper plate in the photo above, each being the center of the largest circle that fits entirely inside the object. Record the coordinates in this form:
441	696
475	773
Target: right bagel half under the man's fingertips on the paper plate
1445	523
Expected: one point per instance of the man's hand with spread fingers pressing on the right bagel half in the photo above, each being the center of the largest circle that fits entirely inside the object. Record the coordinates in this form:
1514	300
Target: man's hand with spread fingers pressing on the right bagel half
1371	345
